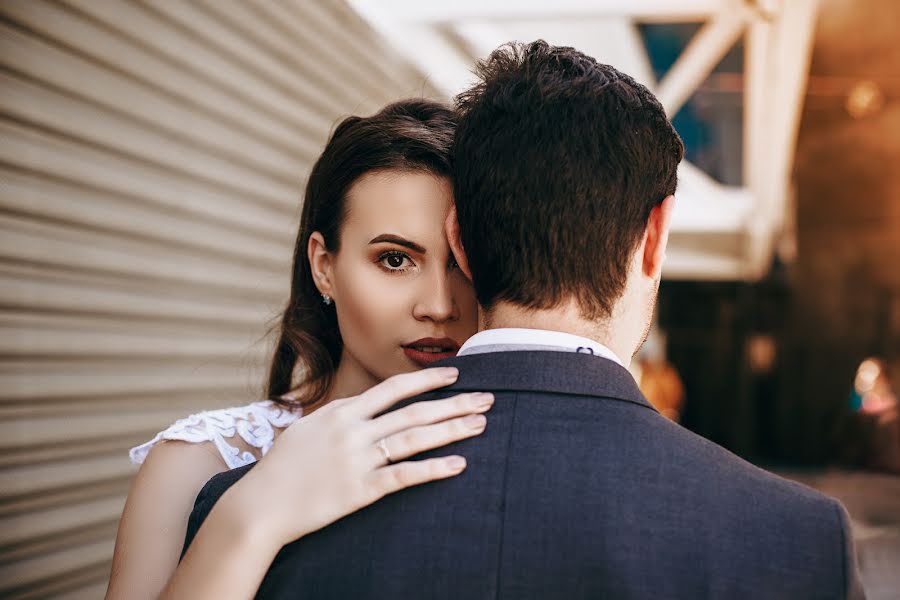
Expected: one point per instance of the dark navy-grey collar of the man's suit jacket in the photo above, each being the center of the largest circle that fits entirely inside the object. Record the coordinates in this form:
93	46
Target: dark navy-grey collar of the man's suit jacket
539	371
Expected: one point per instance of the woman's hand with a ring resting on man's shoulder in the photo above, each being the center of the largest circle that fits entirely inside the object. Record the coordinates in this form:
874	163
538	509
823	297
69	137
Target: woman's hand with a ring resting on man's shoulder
339	459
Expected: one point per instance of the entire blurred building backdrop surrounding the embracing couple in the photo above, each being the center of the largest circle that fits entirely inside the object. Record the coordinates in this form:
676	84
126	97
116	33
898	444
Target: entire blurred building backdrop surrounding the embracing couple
152	160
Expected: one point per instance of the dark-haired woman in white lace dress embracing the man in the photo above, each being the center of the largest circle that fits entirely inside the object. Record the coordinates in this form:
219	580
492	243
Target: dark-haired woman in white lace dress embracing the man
375	296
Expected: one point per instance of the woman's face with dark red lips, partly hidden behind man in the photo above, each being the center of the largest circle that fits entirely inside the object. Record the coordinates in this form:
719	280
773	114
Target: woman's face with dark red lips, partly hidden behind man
401	301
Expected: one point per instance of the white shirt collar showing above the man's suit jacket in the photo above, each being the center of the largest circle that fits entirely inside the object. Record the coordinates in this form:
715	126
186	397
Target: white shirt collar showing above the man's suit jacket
535	339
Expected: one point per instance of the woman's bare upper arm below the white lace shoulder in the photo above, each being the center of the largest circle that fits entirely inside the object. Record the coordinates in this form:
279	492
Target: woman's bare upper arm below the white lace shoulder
152	527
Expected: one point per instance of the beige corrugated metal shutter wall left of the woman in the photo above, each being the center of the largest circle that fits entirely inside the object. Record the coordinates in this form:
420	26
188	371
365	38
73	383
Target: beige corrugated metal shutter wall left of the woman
152	160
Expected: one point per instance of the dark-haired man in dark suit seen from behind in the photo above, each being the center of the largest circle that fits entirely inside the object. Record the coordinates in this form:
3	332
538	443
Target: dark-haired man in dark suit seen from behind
566	171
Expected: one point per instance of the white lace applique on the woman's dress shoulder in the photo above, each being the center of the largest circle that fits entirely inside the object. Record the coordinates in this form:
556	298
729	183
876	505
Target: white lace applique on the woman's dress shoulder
255	424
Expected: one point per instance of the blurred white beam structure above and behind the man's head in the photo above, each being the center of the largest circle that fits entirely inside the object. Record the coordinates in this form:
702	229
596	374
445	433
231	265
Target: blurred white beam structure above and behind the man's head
719	232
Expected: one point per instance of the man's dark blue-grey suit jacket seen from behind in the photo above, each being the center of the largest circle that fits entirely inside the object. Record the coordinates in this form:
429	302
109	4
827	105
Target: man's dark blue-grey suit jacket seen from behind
578	489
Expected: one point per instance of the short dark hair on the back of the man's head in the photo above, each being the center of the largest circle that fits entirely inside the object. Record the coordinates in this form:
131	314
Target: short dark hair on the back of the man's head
558	162
